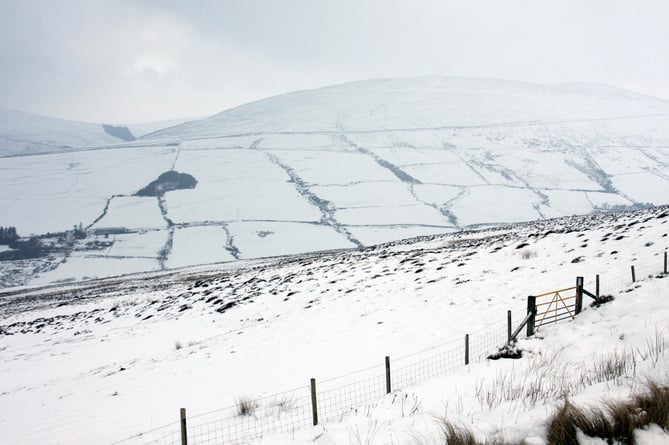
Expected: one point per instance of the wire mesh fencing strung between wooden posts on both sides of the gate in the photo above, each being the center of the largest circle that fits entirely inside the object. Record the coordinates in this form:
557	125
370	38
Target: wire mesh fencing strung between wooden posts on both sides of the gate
291	410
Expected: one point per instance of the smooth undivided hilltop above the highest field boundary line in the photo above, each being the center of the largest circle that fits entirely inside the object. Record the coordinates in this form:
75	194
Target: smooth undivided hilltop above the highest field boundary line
424	102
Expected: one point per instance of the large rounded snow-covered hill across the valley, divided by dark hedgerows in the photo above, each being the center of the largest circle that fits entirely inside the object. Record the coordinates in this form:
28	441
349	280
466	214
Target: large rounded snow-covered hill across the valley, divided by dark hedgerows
339	167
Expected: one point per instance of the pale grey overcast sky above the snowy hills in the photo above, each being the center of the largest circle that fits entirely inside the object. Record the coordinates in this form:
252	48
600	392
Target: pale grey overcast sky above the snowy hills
124	61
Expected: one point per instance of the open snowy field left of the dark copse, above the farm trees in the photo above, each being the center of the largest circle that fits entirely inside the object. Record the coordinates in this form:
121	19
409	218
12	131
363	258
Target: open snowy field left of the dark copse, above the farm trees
52	193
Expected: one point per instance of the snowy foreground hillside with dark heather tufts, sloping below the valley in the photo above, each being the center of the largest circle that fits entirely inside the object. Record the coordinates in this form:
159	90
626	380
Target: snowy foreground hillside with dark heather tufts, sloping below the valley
109	360
